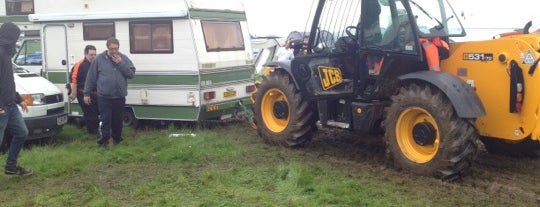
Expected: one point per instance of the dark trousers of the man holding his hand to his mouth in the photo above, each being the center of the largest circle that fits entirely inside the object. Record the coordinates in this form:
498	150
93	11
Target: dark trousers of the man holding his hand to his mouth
111	114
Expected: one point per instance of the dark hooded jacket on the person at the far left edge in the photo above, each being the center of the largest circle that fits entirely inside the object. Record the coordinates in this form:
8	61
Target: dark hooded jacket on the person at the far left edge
9	34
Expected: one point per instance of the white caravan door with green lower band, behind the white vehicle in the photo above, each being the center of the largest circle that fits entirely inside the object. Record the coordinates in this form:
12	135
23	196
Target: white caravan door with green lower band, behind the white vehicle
55	57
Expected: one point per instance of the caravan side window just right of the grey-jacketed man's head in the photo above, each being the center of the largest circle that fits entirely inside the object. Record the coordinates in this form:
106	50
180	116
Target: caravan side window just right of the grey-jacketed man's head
151	37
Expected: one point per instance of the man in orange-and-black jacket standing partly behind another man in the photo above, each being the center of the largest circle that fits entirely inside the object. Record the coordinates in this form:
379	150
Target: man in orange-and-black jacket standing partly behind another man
77	80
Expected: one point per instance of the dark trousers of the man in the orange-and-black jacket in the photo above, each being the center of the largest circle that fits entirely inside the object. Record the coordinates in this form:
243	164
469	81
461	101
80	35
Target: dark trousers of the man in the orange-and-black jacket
90	112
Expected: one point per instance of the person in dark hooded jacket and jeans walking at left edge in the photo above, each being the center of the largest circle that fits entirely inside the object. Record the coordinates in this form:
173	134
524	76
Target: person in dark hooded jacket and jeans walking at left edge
11	119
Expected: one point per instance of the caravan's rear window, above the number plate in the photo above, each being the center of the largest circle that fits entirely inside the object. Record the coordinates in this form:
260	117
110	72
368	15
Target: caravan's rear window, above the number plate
216	41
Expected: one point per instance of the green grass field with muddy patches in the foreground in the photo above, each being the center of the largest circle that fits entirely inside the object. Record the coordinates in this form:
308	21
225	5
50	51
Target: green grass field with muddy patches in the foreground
231	166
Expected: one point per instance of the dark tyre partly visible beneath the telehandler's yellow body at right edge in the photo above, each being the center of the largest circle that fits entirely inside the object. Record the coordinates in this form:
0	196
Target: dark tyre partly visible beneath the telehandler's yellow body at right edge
525	148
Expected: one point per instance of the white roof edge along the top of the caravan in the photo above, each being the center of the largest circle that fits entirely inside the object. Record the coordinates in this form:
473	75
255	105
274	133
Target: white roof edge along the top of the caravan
127	9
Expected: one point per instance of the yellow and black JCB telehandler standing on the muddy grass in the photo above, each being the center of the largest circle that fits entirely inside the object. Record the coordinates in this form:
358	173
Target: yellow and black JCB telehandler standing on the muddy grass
365	68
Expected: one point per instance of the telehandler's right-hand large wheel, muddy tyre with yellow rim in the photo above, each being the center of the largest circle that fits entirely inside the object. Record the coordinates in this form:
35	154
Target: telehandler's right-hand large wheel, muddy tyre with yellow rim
425	136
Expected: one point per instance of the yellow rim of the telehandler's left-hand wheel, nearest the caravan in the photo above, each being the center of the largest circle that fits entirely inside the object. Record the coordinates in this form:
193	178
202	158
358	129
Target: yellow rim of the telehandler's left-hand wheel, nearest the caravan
275	99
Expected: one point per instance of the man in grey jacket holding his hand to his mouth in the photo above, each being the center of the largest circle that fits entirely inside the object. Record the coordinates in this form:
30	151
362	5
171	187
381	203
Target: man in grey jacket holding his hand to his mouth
108	74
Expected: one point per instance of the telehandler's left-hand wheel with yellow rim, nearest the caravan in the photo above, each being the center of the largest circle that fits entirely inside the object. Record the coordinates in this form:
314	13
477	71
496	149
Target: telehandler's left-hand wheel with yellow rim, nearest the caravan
281	115
